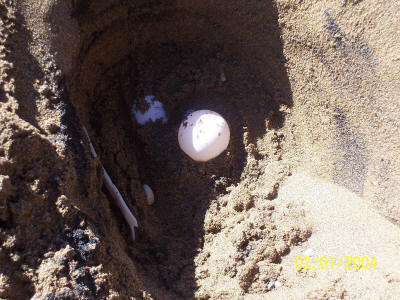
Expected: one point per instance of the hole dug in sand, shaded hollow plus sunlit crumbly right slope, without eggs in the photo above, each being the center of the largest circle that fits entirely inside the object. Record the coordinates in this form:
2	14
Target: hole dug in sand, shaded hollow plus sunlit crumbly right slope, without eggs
212	222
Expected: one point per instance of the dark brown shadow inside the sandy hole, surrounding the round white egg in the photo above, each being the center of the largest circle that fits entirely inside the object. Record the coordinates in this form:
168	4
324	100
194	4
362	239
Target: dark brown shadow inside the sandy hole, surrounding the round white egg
183	68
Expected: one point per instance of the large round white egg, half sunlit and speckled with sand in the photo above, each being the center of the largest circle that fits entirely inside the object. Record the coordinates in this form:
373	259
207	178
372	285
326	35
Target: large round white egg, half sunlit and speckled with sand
203	135
